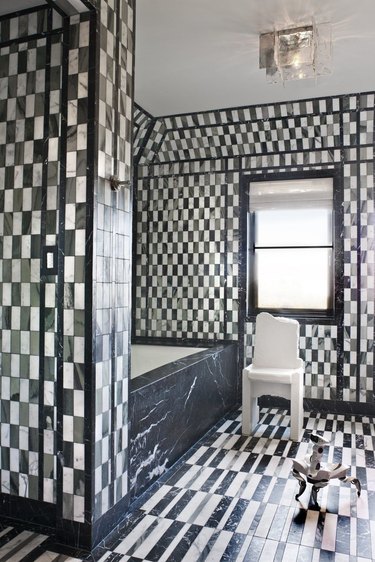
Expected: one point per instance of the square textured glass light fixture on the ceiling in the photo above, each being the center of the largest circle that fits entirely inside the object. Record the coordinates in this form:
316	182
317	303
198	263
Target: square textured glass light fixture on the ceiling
296	53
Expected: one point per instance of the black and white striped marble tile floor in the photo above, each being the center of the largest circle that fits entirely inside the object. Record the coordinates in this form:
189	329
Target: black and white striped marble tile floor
232	498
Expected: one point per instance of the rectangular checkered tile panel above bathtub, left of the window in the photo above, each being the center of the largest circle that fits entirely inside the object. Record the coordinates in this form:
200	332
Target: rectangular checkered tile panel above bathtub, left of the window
185	244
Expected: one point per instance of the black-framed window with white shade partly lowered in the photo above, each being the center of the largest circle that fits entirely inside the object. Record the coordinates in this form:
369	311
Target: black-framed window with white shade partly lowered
291	246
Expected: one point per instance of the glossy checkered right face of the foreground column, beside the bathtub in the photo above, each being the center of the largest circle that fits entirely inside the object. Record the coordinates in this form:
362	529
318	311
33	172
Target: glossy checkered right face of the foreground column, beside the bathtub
113	254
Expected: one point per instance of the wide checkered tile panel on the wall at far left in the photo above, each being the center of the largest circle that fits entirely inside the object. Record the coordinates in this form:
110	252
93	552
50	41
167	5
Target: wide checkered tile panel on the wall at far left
30	82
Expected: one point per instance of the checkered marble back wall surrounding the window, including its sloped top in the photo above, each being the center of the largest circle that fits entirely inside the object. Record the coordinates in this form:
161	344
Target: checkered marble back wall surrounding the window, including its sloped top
206	154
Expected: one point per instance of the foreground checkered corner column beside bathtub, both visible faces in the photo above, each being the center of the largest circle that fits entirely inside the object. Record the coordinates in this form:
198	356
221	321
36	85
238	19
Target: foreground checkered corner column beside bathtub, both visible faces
97	272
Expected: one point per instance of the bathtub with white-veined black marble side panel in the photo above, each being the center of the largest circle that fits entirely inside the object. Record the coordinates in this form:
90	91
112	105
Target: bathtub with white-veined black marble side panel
174	404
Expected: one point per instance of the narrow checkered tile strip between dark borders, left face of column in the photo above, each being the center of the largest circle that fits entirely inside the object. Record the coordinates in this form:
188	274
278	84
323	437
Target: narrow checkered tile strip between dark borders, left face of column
71	385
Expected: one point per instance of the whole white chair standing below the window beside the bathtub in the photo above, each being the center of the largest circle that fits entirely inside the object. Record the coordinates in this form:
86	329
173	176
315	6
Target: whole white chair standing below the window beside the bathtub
276	370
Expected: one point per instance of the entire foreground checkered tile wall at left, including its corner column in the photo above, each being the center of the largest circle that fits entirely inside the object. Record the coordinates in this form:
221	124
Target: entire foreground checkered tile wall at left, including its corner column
66	91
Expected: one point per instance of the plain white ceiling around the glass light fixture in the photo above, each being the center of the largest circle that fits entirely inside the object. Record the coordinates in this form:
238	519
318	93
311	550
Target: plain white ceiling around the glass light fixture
194	55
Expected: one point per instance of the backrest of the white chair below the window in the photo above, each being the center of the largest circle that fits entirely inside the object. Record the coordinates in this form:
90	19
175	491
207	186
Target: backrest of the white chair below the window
276	342
